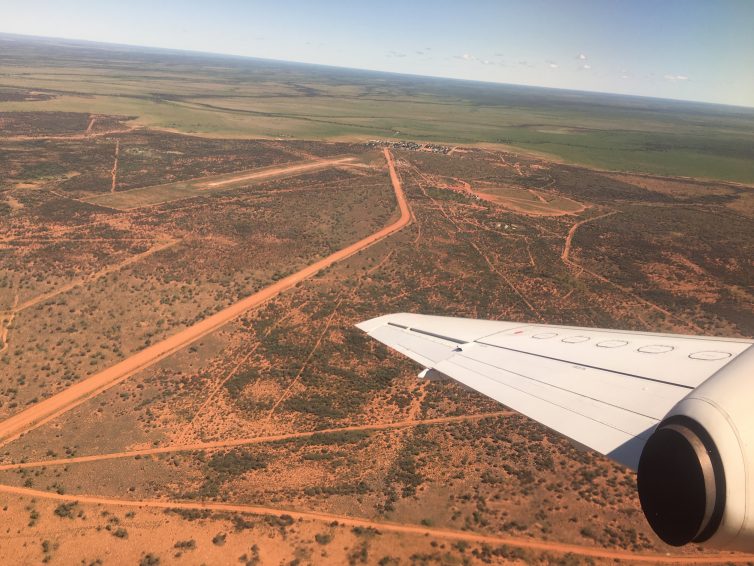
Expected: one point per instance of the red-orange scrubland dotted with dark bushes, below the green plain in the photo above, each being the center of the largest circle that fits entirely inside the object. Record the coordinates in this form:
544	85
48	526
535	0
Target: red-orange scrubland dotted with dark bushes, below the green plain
180	379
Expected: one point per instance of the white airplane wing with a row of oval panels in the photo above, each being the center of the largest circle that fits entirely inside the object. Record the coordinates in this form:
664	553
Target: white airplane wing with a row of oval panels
605	389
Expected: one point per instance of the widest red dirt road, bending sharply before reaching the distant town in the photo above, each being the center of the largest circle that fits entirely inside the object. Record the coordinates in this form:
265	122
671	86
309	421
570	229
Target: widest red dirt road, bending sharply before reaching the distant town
52	407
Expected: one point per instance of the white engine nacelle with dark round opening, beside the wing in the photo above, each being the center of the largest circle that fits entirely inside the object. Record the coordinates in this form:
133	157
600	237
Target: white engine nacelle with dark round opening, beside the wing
696	472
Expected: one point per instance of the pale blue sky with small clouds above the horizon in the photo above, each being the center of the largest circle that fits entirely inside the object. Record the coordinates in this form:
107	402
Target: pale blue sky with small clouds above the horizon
685	49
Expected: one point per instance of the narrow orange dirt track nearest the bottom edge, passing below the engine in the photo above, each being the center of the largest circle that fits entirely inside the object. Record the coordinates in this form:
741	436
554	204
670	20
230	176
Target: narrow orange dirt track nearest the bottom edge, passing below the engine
448	534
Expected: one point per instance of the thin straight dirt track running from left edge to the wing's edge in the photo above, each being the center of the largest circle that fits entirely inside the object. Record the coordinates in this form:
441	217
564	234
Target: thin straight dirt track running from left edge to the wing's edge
221	444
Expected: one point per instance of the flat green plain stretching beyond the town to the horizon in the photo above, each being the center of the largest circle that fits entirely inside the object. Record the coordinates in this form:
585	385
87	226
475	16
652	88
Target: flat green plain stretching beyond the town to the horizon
251	98
